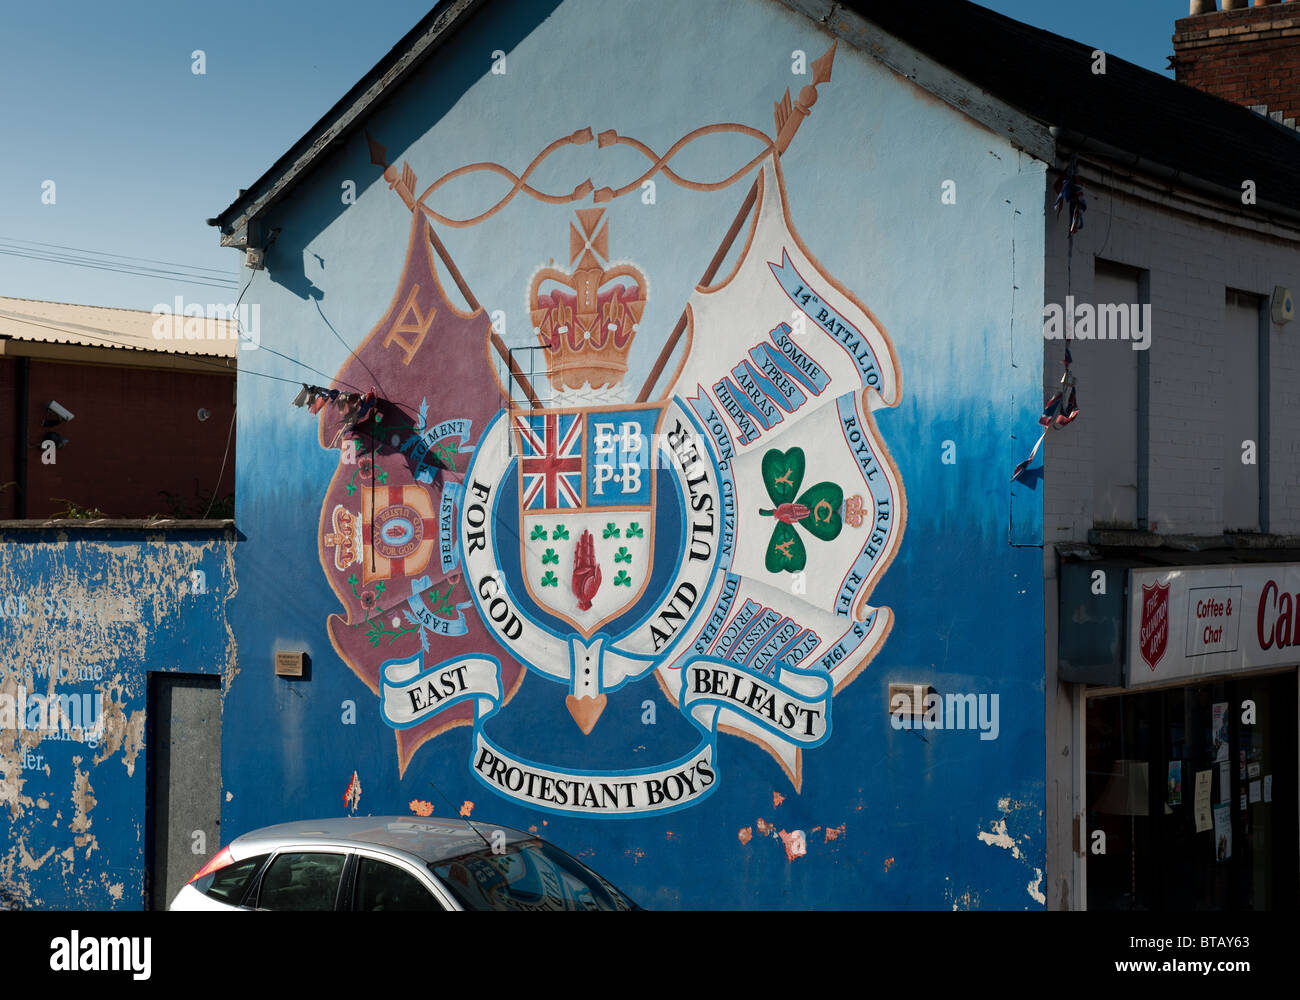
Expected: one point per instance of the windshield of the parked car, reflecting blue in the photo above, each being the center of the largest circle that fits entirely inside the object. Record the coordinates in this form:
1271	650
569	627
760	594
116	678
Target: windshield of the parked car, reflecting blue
527	876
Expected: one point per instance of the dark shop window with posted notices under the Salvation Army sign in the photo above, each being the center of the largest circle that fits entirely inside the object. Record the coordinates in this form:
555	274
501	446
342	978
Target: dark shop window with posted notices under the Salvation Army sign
1191	798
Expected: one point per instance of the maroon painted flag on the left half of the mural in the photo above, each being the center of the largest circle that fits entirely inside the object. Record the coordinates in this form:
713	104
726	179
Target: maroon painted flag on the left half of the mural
388	538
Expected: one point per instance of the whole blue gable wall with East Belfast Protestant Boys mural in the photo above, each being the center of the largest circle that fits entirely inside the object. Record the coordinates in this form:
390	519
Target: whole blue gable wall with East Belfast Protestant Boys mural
668	418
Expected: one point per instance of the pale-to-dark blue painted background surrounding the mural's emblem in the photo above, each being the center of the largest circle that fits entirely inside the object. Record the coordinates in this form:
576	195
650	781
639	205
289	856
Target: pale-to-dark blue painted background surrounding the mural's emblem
887	817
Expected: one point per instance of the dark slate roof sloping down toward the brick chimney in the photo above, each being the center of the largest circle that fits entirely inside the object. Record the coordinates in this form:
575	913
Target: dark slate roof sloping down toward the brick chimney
1050	79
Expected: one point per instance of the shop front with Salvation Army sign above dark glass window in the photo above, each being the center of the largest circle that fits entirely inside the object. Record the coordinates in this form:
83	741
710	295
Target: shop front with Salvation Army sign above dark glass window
1189	785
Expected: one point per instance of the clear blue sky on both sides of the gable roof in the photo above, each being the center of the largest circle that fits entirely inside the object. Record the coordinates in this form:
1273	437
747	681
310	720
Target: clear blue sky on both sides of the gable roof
102	101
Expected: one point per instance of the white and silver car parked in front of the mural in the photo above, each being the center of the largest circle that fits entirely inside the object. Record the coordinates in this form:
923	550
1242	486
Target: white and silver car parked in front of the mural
396	864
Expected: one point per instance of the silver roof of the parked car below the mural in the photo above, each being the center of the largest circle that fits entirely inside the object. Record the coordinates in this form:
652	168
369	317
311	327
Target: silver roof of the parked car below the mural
427	839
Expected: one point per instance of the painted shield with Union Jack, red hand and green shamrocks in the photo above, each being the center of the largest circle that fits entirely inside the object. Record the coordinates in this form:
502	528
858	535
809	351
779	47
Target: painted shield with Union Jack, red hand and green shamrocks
587	487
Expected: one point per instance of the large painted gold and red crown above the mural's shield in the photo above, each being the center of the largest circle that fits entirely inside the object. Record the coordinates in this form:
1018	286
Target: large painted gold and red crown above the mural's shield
586	319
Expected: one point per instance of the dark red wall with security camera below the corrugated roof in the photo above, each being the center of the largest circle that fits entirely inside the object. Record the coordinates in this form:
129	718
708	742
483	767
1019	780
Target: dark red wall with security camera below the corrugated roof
135	434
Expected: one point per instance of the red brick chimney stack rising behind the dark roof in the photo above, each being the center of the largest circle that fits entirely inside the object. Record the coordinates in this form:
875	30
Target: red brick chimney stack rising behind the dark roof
1247	55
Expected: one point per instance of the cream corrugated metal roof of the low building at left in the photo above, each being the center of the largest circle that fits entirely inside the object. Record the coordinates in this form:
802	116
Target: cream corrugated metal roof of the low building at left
122	330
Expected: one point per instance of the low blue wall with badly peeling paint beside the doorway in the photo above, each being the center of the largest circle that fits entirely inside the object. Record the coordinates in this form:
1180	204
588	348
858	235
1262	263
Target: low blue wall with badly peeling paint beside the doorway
85	616
